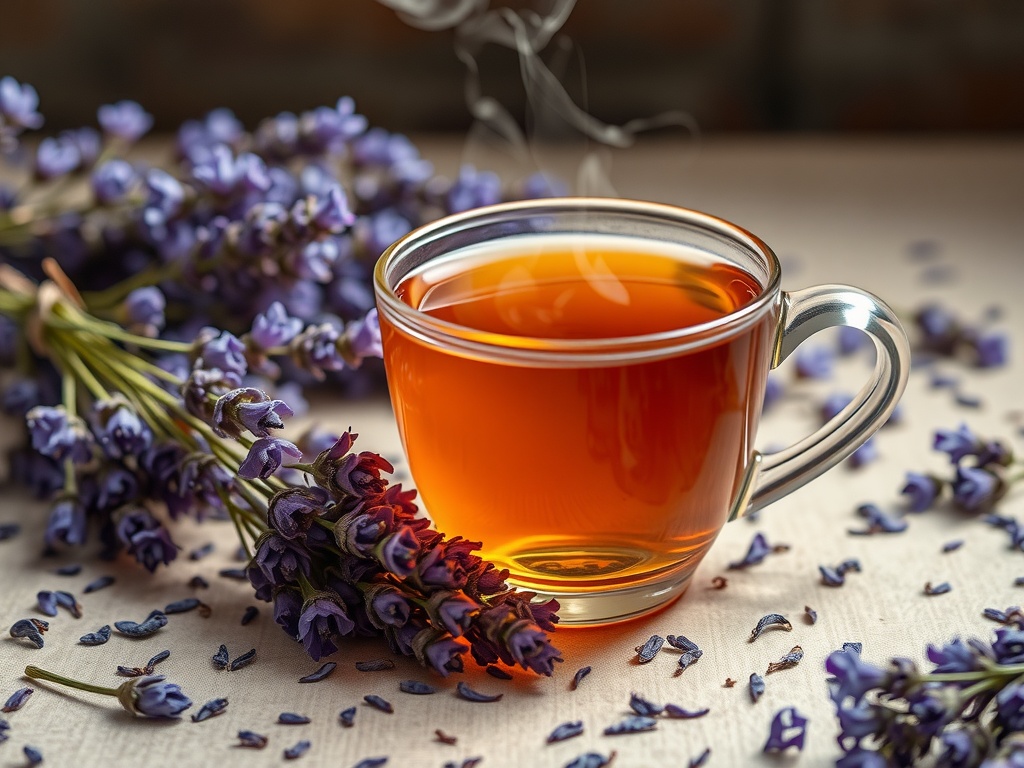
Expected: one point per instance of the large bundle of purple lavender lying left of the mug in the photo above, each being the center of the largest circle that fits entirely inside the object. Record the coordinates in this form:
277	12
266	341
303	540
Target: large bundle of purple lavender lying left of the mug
153	318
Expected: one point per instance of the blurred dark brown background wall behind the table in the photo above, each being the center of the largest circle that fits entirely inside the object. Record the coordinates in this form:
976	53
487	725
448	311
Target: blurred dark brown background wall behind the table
734	65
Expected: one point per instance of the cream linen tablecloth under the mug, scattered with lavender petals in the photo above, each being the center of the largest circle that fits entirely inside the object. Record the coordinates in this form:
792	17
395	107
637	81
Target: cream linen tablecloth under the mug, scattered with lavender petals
837	211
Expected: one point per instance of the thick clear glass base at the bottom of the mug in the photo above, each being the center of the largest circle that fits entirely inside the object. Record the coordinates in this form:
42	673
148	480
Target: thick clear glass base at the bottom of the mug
594	609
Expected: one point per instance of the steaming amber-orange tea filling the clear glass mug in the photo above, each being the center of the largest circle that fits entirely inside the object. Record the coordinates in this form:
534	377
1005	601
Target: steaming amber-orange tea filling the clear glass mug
595	473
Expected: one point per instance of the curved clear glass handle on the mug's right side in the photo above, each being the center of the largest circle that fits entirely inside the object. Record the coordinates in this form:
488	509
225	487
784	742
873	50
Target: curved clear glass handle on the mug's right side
805	313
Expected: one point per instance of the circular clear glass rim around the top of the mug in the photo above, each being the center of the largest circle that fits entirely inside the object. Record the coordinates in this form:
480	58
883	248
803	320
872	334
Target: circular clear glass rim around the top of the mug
474	343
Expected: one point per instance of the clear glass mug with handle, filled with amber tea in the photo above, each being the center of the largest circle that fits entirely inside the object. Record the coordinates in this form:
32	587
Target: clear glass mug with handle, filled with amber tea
578	385
